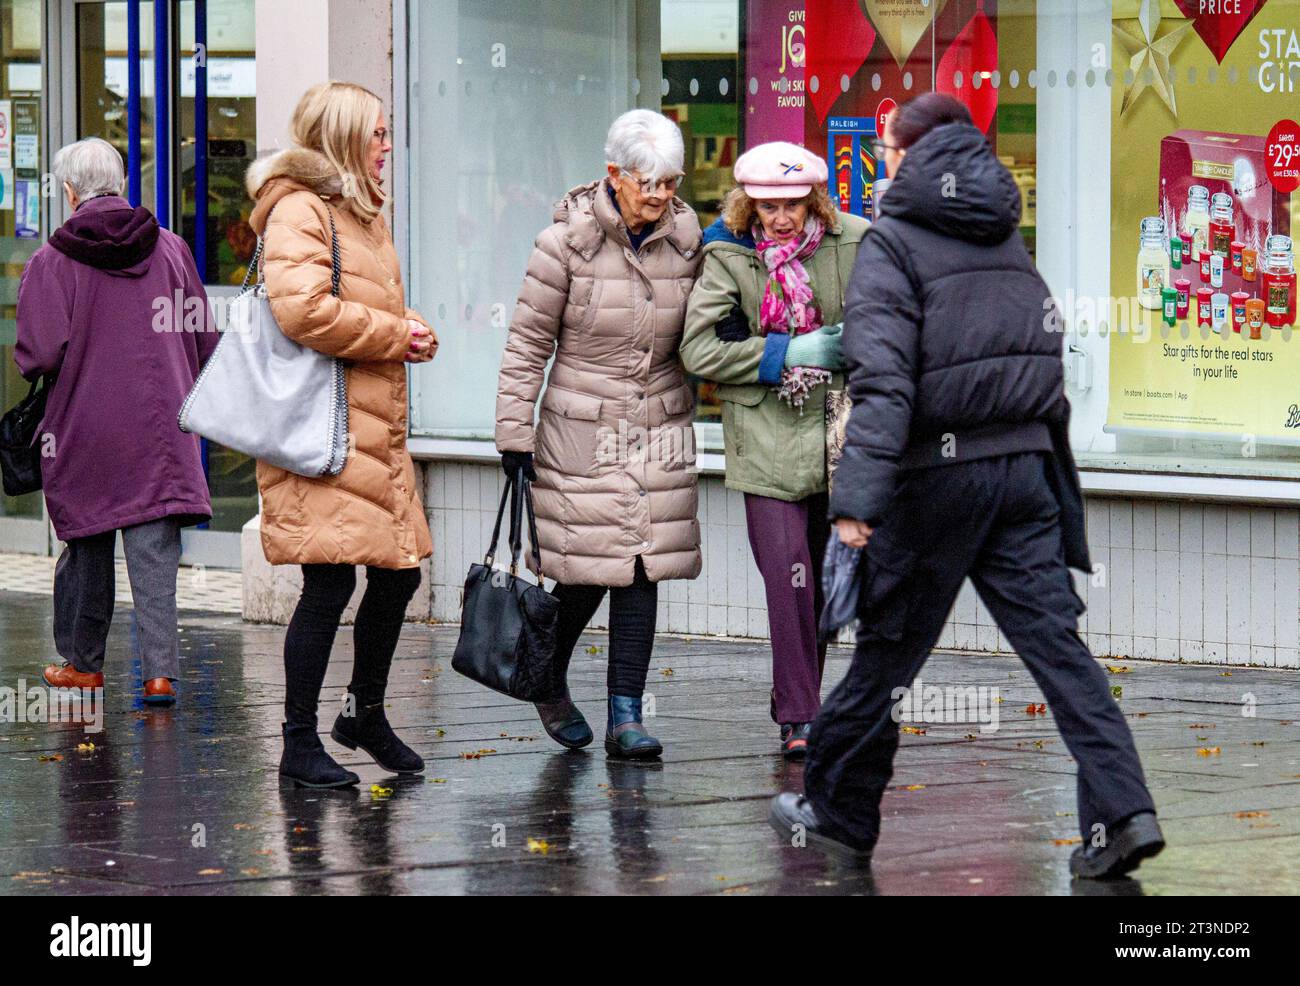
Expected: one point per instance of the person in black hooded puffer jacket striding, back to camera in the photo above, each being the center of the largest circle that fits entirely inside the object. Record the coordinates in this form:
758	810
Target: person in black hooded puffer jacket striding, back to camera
957	464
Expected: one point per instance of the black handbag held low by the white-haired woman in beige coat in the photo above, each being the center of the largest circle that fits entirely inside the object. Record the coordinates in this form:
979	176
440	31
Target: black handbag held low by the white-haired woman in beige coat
508	625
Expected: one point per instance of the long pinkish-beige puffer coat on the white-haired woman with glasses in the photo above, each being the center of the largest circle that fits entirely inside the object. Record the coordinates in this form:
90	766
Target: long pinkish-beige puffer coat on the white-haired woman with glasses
614	443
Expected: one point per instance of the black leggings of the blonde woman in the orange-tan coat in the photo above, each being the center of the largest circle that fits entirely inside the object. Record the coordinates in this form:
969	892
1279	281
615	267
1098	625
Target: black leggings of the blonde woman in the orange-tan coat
327	590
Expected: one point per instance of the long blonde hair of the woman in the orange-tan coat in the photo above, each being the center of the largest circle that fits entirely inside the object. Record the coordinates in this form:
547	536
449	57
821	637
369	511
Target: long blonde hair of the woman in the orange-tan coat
337	120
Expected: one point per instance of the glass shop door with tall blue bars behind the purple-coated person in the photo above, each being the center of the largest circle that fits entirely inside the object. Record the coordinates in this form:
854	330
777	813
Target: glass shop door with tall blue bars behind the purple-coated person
187	127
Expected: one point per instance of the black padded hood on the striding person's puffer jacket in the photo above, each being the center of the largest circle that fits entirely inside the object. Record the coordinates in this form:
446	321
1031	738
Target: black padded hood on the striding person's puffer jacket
952	183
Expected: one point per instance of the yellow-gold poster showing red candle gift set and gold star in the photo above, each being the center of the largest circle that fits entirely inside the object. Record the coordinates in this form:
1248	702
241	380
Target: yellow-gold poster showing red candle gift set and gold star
1203	284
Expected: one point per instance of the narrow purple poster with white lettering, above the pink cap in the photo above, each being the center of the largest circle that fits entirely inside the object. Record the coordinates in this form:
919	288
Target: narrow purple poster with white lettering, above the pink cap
774	58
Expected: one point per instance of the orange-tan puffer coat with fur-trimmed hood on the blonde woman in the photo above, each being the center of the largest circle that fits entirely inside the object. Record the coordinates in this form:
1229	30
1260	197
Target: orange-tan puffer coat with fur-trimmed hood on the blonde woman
371	512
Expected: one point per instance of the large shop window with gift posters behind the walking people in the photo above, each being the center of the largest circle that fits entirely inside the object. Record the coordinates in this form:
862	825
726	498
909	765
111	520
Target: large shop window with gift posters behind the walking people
1107	114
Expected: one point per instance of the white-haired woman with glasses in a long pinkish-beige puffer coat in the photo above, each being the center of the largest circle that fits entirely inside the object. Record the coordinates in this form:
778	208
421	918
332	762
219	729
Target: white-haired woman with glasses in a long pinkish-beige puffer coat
613	452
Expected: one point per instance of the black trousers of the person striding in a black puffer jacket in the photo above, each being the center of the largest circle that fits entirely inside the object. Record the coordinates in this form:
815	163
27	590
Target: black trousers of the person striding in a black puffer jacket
998	522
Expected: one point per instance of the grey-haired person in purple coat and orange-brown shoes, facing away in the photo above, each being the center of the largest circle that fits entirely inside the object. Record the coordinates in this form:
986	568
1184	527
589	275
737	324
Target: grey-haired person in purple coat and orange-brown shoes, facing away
114	308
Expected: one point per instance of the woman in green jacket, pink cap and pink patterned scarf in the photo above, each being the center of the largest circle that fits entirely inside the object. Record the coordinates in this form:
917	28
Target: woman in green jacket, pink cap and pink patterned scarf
764	323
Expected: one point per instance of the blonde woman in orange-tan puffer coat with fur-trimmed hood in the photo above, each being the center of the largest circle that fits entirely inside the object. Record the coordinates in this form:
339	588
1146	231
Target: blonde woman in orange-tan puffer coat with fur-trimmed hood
369	514
